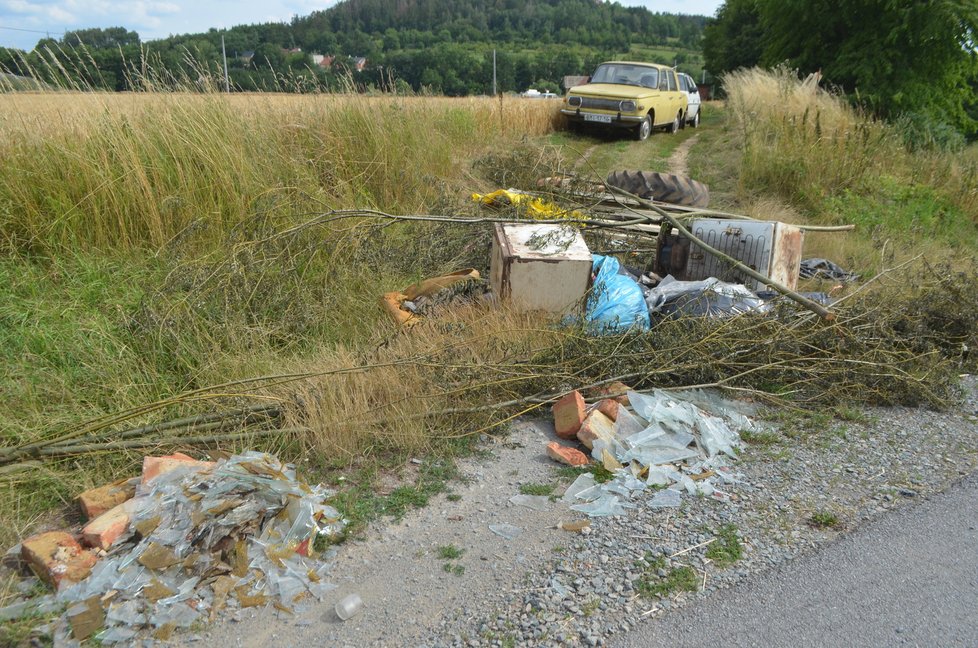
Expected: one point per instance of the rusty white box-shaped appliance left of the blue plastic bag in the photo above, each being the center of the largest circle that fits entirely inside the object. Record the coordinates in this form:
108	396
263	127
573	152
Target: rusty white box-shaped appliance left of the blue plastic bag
539	267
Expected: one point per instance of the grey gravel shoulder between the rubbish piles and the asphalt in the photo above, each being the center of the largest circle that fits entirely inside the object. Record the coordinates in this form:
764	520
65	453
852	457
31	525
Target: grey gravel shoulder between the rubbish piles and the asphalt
552	587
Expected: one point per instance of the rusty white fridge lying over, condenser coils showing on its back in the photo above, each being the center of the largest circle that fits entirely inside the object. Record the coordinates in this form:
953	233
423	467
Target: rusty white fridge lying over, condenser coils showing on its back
771	248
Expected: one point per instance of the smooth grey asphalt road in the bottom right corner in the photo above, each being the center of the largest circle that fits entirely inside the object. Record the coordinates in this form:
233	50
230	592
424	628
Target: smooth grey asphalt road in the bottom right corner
909	578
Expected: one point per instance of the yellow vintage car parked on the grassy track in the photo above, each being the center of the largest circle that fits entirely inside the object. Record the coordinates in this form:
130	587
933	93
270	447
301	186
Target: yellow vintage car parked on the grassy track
623	94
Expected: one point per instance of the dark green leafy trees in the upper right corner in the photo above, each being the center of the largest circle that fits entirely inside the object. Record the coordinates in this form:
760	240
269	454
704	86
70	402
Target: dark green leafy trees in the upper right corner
911	60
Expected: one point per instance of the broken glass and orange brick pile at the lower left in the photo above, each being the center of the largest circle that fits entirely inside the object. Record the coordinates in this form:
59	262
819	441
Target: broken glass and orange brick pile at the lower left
196	537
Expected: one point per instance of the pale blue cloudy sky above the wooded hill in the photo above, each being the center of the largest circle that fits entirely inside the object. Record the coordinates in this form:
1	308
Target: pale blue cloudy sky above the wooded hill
24	22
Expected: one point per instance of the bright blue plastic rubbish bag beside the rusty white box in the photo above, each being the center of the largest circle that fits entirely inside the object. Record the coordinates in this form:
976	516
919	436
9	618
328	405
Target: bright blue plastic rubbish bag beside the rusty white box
616	303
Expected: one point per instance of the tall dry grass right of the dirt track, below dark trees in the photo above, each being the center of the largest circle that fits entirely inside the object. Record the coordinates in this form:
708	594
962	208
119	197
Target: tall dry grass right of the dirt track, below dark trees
804	143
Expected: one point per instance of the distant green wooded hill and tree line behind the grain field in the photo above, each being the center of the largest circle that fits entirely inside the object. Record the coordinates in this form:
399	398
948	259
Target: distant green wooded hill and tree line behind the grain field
444	46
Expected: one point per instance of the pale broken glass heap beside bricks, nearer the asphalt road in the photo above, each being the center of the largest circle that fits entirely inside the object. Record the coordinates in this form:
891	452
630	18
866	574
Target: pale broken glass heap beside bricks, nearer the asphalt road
668	442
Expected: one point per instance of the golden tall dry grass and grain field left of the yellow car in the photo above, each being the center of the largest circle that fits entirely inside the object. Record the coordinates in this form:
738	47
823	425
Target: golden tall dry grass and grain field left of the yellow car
111	172
